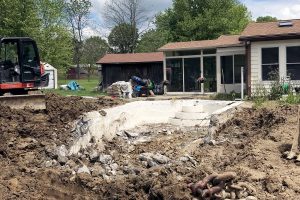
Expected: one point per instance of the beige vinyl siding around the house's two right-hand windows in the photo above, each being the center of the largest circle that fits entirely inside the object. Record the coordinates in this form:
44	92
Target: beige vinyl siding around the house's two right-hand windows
256	69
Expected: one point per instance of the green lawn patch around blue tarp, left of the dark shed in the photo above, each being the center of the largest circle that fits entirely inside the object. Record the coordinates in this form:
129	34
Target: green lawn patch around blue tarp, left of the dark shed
88	86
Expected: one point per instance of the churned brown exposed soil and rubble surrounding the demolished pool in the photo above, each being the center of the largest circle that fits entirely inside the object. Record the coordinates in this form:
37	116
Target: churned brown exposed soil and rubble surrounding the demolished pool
251	144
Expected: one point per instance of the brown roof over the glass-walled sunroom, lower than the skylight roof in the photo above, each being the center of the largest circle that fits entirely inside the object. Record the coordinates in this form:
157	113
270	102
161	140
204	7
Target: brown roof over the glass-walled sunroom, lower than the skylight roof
222	41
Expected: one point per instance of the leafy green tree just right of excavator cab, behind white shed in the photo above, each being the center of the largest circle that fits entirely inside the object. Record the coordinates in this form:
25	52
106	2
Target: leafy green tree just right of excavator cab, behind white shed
54	39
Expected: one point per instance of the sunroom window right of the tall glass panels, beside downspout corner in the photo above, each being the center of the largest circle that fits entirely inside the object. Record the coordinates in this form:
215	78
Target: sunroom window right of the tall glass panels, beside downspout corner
231	68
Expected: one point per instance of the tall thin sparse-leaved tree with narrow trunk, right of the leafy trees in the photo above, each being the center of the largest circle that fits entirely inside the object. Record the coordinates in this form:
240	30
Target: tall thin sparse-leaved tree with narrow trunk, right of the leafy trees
77	15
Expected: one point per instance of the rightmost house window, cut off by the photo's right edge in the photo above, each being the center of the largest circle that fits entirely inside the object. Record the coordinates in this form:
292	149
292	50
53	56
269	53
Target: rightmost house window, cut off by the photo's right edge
293	62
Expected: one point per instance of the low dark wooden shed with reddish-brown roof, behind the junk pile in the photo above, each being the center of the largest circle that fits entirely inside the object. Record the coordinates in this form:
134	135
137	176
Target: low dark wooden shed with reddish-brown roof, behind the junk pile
120	67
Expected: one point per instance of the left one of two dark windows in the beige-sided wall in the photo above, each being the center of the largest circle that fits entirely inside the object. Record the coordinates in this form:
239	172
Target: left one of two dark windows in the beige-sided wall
270	63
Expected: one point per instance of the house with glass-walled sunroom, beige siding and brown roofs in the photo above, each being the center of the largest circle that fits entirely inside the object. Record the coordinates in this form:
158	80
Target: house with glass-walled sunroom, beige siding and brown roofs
262	49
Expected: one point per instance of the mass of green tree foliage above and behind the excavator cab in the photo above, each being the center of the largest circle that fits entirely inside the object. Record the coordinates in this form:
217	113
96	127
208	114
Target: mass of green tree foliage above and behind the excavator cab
42	20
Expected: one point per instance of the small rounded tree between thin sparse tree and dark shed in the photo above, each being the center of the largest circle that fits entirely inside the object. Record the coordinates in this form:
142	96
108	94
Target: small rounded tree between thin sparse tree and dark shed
94	48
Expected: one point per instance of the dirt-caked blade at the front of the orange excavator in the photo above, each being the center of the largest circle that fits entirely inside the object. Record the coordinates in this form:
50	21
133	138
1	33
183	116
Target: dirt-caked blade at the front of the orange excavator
33	101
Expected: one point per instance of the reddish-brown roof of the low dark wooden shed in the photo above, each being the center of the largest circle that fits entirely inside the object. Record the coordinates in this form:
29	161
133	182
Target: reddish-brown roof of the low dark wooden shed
132	58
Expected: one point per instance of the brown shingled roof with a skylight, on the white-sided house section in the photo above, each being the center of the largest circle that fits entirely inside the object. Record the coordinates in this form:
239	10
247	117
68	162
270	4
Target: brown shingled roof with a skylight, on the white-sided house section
270	30
